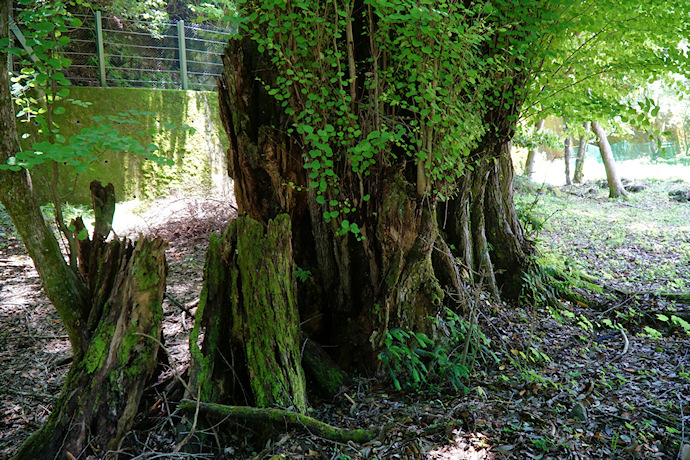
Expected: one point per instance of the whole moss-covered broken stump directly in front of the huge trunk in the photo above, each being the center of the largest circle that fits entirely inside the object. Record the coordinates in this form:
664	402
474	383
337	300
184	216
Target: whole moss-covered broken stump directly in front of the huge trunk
248	316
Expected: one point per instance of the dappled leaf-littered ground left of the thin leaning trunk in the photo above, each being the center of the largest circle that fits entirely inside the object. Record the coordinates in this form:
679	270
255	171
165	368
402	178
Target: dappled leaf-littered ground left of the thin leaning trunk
33	347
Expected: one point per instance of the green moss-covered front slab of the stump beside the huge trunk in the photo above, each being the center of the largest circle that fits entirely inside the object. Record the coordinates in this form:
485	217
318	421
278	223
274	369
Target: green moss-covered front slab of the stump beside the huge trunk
271	319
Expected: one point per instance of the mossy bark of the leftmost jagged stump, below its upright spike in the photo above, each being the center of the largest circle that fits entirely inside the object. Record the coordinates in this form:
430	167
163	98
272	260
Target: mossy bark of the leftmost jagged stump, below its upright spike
101	395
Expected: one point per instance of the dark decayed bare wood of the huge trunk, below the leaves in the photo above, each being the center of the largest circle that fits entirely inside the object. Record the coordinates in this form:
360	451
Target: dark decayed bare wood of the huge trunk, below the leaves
391	267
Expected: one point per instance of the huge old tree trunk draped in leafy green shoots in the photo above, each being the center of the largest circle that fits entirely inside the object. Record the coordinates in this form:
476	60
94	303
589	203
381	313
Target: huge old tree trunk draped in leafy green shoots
358	119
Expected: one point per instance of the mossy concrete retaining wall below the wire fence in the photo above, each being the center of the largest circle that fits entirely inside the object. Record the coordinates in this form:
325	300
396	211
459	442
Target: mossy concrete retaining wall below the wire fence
199	158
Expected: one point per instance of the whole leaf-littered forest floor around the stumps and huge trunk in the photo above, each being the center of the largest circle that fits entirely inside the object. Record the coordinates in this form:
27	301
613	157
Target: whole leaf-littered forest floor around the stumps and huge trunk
606	377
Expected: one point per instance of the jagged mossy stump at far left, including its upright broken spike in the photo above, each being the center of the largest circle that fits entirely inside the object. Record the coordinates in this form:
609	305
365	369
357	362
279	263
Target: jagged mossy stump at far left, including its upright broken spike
116	343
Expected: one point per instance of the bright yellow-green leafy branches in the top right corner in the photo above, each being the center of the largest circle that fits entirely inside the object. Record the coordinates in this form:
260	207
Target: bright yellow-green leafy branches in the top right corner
600	57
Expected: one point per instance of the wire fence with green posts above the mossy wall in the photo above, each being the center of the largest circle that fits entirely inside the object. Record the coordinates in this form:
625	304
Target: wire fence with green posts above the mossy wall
107	51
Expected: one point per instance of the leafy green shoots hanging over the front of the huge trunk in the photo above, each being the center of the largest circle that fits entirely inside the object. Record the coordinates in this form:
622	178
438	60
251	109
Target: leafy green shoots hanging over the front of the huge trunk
392	82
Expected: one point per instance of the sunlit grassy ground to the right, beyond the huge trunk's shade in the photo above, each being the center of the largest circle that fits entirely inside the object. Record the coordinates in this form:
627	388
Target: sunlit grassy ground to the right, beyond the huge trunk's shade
641	244
